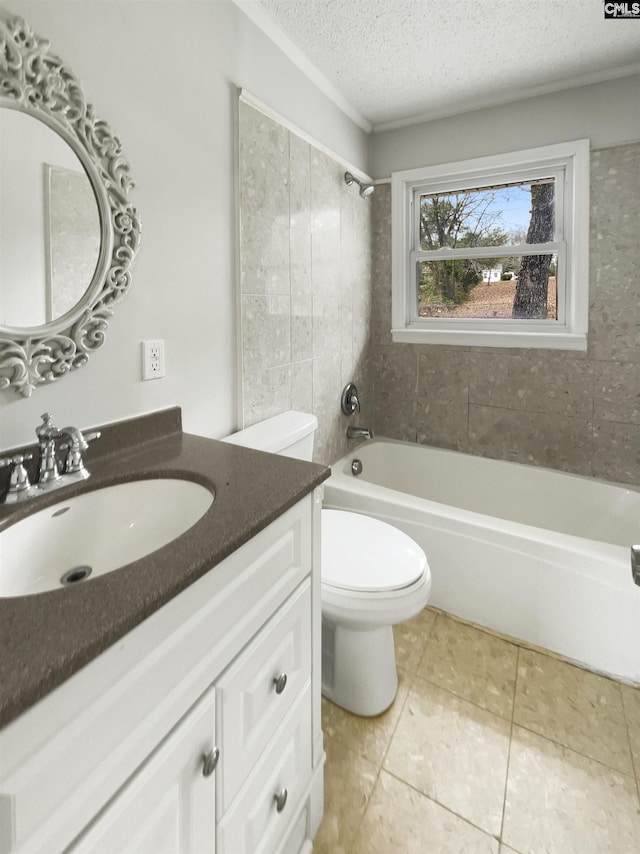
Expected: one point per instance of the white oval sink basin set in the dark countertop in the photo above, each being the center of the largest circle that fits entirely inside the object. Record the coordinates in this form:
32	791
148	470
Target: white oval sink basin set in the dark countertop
97	532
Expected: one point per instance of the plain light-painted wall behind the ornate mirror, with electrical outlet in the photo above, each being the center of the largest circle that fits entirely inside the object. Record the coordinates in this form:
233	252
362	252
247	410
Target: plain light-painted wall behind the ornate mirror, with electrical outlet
164	75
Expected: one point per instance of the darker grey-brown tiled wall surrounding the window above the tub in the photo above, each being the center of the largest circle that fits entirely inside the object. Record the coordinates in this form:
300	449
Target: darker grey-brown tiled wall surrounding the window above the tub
577	412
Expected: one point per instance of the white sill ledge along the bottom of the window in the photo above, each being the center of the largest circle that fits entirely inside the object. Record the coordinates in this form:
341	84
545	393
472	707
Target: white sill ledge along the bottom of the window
475	338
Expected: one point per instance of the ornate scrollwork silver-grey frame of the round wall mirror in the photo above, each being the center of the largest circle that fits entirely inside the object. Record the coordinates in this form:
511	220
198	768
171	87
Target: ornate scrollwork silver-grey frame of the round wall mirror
38	83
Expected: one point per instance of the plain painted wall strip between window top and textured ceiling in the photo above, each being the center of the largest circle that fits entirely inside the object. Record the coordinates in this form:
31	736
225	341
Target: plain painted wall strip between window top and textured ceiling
606	113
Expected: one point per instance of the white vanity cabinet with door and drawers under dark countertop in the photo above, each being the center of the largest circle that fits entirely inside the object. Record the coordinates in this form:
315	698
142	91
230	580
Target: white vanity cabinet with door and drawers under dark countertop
121	757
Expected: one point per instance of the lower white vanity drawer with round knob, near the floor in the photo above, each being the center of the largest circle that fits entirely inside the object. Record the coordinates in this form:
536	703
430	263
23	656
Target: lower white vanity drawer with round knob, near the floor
254	825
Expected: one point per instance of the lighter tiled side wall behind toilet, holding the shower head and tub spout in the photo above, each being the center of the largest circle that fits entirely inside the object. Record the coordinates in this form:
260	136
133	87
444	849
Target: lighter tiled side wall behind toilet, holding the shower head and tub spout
305	265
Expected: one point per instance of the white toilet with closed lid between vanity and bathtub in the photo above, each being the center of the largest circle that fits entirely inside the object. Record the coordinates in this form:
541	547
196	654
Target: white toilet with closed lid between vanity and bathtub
373	576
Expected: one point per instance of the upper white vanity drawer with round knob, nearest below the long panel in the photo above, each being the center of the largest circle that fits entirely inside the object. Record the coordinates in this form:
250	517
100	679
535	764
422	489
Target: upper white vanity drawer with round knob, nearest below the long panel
251	705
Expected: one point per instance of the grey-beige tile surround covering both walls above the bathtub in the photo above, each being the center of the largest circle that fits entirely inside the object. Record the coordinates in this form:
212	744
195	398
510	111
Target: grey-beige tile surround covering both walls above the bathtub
316	312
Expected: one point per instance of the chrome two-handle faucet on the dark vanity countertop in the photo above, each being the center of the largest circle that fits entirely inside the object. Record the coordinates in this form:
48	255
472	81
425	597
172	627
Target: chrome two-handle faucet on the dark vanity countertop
48	476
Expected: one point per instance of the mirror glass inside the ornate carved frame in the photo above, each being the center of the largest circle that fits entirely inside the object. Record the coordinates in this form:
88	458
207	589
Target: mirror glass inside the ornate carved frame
49	223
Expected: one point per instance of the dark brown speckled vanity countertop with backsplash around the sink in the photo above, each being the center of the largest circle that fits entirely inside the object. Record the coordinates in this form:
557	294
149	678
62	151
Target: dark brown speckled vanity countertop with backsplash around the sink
47	637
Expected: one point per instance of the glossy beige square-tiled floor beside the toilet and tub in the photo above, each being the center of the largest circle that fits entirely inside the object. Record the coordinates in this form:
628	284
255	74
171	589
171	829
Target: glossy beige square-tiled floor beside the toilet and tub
489	747
